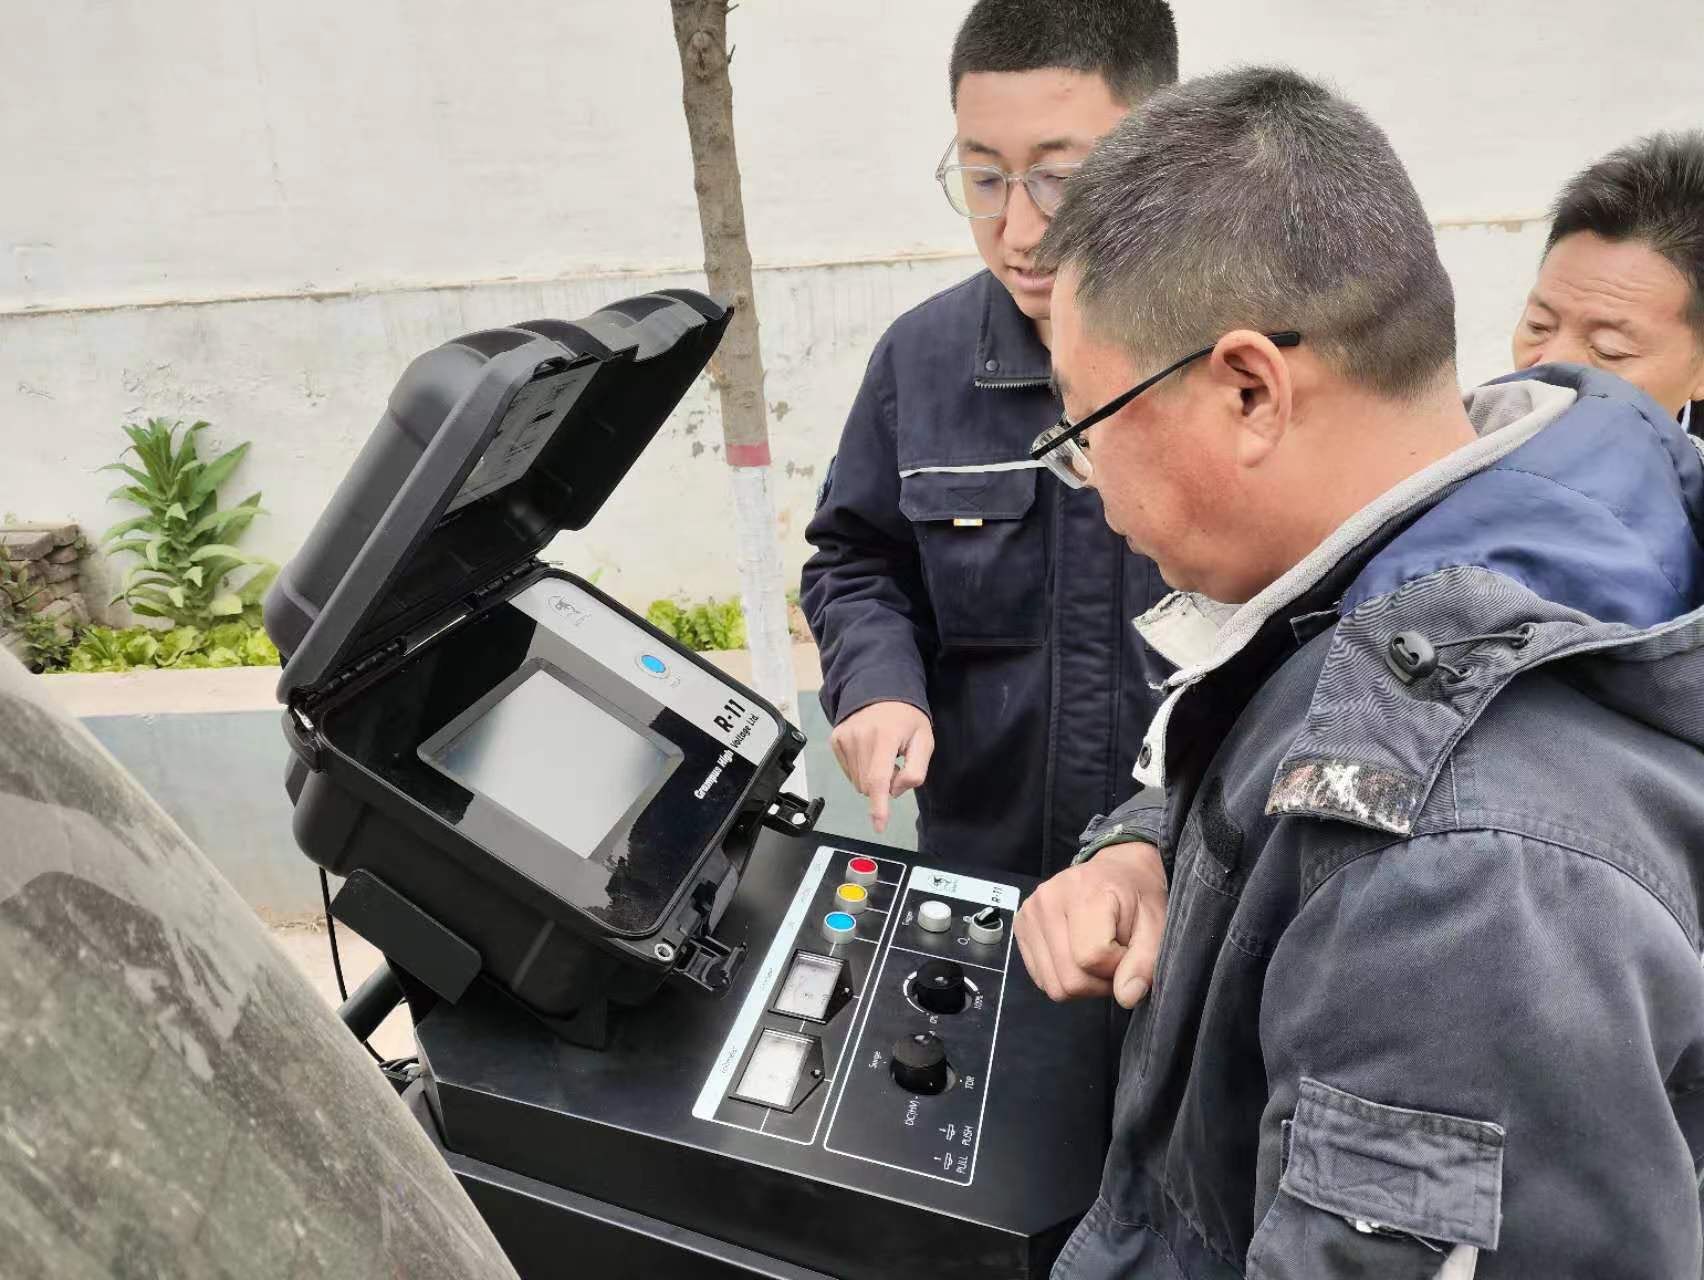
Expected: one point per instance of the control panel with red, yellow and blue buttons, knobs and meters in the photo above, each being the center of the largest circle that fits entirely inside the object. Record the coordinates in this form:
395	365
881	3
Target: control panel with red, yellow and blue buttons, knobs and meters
873	1022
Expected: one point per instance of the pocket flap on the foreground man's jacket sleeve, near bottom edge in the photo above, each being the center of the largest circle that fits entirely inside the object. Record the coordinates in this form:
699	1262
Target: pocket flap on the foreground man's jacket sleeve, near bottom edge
1425	1173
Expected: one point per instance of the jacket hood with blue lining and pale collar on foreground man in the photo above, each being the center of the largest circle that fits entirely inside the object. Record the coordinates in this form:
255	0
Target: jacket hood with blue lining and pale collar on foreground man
1570	529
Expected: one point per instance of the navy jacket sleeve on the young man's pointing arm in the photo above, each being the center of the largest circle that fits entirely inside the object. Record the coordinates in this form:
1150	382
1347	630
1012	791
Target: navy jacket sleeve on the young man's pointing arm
863	589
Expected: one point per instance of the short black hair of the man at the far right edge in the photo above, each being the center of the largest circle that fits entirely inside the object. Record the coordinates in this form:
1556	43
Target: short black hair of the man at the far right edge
1650	192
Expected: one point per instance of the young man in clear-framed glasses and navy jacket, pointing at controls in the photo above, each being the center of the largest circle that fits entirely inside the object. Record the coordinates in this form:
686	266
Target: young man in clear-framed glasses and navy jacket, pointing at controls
976	626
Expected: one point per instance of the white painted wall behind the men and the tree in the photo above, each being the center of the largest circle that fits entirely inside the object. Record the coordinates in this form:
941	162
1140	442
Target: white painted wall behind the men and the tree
258	212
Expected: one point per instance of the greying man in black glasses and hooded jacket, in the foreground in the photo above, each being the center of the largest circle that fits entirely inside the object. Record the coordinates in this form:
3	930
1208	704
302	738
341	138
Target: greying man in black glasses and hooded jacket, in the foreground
1429	998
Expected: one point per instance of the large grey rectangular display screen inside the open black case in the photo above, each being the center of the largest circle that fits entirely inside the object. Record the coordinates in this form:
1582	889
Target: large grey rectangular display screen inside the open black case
555	759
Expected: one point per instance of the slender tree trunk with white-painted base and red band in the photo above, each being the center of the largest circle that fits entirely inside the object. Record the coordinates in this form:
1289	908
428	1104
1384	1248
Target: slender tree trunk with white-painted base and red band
737	371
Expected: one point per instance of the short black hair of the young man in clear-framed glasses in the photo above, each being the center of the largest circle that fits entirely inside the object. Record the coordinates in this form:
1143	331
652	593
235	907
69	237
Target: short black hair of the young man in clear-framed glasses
1129	43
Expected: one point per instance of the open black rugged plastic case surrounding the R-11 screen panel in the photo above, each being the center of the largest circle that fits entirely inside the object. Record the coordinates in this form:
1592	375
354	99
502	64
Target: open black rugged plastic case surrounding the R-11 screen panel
490	446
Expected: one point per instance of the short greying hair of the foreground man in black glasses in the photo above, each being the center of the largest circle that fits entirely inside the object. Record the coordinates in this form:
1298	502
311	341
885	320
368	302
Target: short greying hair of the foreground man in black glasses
1258	200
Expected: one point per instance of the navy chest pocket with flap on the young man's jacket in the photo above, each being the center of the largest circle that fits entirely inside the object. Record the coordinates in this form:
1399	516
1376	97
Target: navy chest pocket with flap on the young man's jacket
984	555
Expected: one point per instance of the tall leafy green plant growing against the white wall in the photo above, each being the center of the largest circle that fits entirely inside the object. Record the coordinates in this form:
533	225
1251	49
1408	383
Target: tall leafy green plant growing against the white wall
183	536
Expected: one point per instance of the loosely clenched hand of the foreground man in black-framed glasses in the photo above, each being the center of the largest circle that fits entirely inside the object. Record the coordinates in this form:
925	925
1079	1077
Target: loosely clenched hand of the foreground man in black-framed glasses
1095	930
